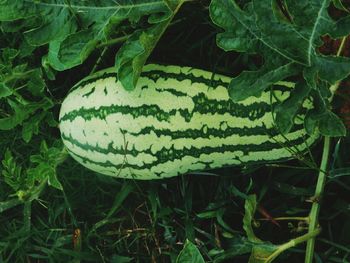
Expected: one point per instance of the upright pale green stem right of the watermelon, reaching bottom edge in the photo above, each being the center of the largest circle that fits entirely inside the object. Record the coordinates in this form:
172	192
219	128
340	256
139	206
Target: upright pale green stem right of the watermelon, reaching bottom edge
315	209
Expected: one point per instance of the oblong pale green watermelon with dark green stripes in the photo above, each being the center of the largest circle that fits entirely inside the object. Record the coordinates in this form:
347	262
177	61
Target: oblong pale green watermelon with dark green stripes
177	120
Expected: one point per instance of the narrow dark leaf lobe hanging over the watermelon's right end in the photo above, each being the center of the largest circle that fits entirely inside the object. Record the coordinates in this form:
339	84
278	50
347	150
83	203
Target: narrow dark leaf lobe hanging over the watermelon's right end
288	109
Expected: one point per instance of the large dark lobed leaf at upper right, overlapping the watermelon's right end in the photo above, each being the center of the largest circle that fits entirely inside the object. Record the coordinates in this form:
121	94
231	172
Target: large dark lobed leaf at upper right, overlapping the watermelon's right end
287	34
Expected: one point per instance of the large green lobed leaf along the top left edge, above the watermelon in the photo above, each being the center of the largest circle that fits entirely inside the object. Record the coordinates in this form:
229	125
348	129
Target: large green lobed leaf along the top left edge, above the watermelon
74	28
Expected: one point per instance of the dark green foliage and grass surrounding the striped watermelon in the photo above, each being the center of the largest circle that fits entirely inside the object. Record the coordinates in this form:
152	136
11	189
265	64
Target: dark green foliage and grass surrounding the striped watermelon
100	219
